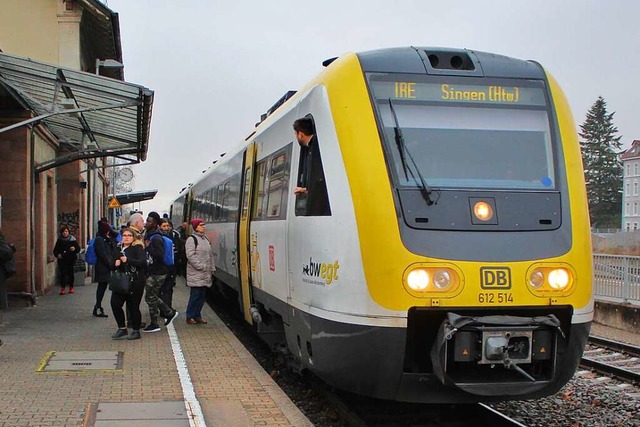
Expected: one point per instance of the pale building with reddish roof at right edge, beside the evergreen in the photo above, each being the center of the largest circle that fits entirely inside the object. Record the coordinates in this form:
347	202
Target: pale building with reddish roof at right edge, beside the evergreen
630	192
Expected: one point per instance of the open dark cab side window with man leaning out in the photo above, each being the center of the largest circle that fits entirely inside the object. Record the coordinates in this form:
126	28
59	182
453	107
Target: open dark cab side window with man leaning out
311	176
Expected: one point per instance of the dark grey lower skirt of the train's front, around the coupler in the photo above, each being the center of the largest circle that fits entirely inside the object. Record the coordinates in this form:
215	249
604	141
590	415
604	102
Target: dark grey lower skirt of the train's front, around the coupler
372	361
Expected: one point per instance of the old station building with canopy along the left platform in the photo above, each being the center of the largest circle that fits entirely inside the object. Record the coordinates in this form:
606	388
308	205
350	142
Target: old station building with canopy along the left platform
66	115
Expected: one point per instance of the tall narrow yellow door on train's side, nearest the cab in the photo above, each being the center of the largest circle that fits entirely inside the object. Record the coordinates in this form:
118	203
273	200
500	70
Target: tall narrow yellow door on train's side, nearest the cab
244	242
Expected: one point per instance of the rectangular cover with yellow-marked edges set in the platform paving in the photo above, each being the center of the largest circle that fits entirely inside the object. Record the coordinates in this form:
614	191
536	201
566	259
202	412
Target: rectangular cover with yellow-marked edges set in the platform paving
81	361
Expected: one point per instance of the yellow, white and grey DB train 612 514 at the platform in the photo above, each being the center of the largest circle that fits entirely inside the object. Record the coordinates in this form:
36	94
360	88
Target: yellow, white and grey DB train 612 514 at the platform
453	261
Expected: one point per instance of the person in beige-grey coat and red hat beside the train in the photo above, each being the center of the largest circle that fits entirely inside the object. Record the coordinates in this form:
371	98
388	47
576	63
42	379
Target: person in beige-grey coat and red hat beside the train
200	268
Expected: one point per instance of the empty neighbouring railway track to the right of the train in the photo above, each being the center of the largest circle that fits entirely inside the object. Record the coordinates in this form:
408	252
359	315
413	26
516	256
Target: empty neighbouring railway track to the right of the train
613	358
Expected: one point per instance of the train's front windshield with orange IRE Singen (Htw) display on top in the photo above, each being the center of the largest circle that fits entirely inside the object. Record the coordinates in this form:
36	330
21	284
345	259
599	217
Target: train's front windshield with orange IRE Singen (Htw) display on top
459	134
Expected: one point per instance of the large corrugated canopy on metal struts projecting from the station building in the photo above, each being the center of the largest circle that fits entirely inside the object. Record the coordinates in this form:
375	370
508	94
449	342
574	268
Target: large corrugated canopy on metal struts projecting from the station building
90	116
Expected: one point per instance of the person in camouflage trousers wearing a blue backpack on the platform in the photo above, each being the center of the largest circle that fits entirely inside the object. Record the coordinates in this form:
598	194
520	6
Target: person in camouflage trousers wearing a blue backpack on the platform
159	258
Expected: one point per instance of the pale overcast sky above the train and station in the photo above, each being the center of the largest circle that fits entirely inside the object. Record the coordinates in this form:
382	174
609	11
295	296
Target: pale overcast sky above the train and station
215	66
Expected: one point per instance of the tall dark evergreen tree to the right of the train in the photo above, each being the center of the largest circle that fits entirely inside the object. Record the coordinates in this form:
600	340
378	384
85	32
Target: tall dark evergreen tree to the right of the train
601	150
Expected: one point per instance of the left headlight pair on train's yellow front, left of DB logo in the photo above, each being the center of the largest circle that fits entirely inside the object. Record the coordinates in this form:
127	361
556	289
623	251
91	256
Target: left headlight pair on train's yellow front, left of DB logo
425	280
